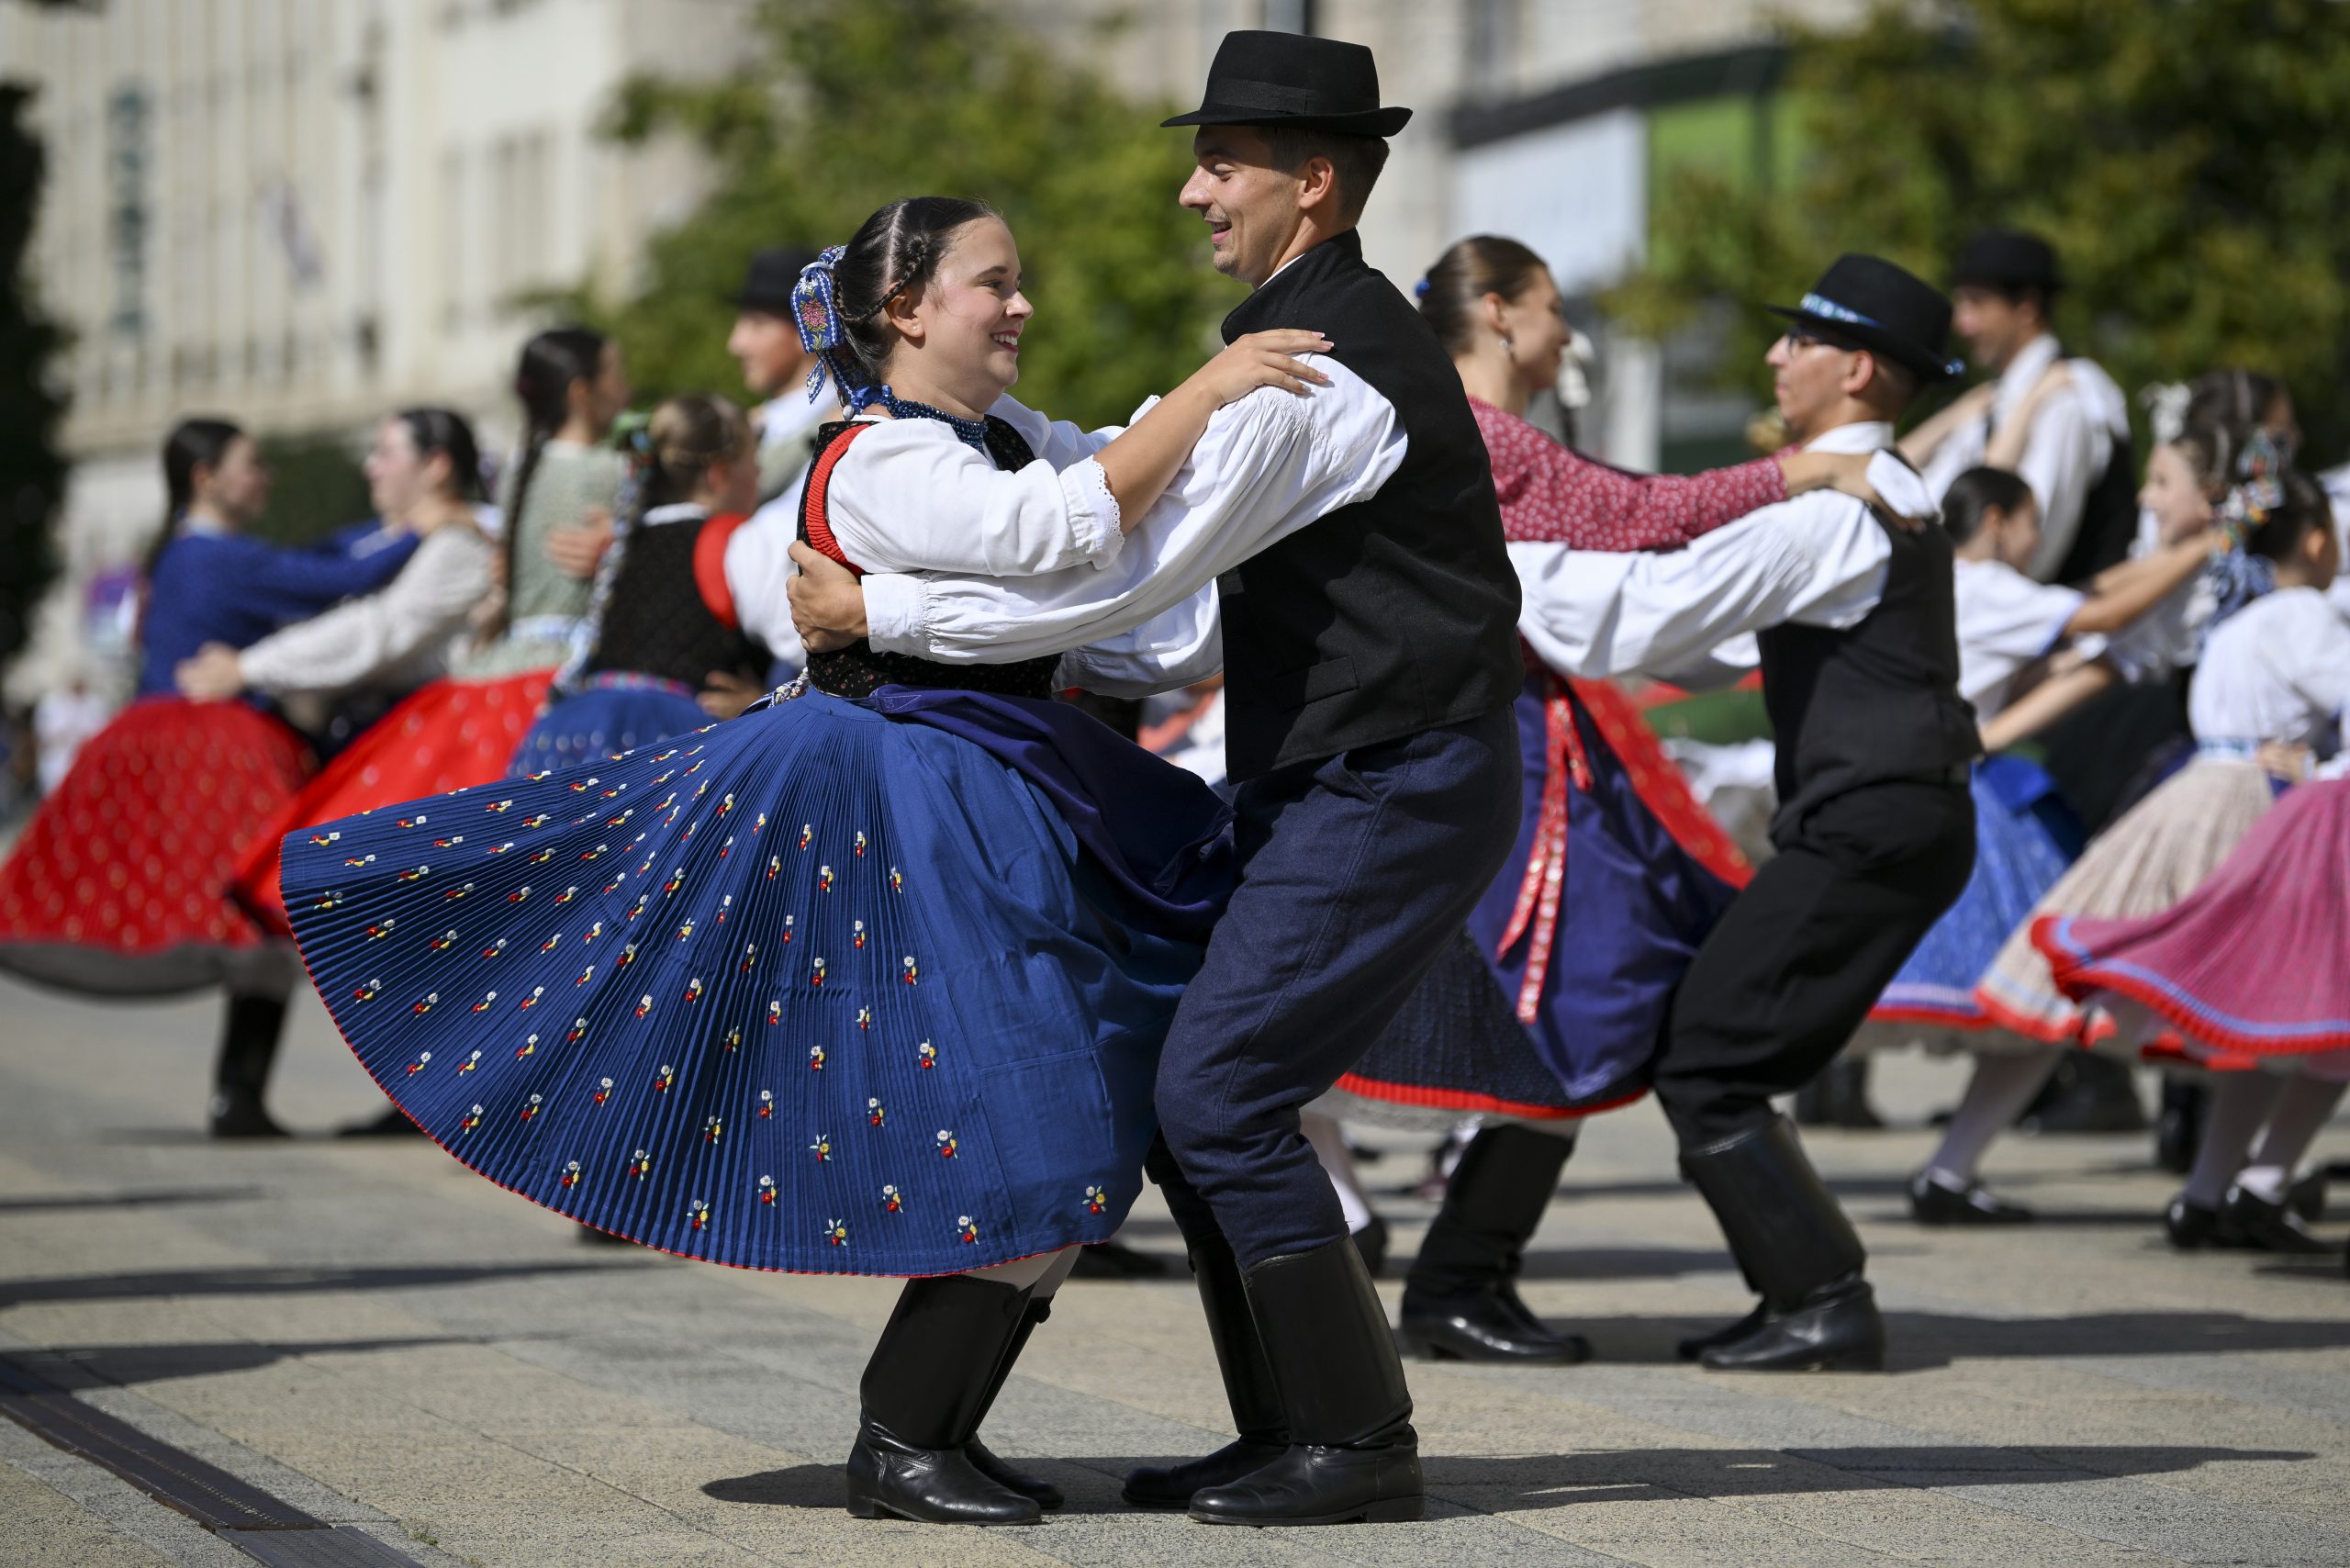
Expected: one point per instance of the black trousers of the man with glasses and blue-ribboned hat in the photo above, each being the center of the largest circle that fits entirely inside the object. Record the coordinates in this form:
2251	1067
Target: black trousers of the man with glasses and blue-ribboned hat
1806	951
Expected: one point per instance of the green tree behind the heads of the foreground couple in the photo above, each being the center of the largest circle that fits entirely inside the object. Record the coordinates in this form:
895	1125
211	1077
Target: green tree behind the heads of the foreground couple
847	105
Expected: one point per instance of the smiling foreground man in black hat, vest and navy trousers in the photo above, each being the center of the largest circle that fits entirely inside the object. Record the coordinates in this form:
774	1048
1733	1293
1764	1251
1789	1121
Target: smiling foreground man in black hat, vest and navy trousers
1364	615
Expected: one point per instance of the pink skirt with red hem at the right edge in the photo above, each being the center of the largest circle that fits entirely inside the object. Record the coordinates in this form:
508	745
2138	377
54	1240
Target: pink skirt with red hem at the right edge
2250	965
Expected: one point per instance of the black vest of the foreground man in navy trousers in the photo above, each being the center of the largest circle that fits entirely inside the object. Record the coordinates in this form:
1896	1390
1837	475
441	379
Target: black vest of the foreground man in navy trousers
1392	615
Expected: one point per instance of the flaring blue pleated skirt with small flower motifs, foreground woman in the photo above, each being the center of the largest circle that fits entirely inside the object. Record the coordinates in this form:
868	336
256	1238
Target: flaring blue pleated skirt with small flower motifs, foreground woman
812	991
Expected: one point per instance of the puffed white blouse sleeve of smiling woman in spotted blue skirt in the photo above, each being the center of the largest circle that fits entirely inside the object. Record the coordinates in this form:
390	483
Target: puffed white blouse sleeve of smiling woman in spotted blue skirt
908	495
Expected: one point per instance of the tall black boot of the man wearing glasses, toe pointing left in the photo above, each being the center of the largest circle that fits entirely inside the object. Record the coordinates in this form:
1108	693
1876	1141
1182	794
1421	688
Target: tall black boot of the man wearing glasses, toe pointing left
1797	1247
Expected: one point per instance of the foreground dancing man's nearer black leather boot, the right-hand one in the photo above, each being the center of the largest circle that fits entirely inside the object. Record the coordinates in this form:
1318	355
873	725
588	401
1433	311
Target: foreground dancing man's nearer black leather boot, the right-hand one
1352	1449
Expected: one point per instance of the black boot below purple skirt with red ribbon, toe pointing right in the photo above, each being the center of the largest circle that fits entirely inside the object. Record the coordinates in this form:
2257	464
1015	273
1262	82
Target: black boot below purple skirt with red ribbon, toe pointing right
1461	1299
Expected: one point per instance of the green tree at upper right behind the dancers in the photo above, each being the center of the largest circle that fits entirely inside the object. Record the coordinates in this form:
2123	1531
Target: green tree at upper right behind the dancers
2184	156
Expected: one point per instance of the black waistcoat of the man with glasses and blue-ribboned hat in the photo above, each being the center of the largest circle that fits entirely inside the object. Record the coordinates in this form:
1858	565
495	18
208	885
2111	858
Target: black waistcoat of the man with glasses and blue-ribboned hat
1874	702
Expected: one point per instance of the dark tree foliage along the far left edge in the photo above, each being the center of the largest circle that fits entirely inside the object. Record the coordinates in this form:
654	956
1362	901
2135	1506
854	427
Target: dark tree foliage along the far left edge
32	401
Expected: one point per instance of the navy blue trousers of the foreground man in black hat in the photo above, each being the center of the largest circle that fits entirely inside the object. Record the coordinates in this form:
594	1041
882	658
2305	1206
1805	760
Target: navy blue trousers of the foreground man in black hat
1355	871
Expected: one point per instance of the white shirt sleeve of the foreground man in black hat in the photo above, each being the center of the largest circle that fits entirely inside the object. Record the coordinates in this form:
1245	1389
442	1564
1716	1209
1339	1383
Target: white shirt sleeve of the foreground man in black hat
1268	467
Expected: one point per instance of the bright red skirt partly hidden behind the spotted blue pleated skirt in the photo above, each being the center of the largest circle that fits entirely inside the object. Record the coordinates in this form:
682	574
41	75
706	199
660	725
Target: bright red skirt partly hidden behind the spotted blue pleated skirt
443	737
